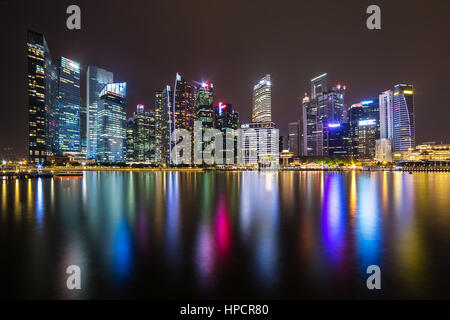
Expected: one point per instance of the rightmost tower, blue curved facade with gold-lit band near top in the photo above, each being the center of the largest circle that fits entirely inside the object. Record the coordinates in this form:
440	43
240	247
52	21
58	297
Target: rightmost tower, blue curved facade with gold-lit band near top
403	118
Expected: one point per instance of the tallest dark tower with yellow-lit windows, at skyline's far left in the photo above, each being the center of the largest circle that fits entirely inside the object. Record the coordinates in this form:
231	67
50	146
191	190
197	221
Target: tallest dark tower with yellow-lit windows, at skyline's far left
41	99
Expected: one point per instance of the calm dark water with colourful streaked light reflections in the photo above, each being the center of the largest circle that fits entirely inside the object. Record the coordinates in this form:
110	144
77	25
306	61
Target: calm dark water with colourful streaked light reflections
226	235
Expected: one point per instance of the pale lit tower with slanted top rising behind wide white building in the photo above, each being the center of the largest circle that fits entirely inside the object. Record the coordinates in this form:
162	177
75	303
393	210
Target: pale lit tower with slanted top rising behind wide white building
262	100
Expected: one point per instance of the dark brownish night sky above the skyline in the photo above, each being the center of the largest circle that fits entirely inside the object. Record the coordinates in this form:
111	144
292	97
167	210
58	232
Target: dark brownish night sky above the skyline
234	43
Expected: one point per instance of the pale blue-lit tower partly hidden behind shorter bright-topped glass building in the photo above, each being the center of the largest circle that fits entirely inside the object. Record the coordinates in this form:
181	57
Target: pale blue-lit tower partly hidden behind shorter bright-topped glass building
96	81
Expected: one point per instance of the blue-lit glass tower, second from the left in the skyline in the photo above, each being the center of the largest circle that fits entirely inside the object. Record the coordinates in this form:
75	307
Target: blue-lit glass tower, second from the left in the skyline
68	106
